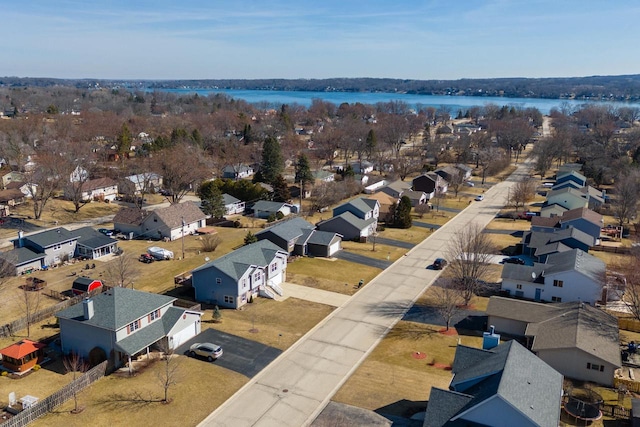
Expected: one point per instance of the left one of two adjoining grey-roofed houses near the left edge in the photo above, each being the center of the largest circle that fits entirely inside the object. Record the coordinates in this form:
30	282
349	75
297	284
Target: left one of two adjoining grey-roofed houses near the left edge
57	244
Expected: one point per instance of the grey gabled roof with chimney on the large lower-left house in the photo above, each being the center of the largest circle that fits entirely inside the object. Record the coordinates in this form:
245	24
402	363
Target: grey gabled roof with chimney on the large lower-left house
116	308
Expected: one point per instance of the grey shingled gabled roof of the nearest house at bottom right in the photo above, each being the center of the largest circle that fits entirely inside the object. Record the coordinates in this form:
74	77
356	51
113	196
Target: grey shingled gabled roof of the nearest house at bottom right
513	373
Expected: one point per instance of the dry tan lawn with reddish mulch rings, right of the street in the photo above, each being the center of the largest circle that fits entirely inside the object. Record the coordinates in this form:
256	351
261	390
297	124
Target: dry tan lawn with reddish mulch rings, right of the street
396	377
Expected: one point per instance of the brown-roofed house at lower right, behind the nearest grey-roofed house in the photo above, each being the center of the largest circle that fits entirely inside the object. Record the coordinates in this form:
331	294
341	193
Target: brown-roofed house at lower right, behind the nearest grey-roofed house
576	339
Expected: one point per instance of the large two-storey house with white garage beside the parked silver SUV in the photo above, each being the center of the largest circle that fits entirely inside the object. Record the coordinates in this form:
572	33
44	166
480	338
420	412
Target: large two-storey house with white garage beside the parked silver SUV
121	323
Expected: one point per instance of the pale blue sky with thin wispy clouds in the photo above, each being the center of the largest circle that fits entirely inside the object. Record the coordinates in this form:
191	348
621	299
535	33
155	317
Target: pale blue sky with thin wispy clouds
242	39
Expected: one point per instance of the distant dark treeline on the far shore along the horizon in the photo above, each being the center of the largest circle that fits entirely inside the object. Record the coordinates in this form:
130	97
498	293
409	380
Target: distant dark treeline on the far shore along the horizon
612	88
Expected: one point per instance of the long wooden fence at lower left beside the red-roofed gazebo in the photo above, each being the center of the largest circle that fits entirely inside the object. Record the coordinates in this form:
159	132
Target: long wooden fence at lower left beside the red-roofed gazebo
58	398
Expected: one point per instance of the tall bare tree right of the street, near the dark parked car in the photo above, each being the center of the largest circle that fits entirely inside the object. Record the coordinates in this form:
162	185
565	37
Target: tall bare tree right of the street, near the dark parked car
469	252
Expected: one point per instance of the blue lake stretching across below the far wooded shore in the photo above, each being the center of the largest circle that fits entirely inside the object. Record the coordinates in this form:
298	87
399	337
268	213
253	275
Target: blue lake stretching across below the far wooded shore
275	98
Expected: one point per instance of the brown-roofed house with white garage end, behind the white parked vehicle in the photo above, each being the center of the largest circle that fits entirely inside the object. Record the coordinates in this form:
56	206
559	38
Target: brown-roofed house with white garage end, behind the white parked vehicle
171	223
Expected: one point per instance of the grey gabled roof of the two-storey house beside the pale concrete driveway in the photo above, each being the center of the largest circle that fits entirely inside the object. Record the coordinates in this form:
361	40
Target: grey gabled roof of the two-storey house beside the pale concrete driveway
236	263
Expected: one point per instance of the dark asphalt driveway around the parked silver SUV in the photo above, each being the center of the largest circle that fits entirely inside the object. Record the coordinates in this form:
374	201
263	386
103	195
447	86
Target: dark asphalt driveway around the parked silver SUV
239	354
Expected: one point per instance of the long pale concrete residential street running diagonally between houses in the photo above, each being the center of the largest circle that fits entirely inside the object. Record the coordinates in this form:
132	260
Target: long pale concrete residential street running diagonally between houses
296	387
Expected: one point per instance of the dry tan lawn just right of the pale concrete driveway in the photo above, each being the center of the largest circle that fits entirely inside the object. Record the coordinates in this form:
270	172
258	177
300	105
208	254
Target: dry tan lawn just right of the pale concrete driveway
331	275
